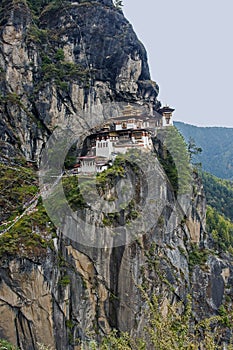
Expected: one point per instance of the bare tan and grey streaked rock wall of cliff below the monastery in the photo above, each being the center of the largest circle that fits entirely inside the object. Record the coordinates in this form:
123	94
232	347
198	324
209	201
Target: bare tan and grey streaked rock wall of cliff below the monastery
76	293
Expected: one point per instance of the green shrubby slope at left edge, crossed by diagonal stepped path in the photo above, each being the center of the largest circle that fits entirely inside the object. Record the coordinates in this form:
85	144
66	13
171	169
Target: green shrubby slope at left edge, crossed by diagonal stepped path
30	235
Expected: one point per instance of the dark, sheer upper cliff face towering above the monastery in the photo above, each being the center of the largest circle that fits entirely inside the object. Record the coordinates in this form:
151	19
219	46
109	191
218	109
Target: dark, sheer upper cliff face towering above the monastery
74	56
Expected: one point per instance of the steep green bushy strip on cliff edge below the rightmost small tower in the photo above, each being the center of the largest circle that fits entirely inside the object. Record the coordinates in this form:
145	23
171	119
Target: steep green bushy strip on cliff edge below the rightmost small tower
174	157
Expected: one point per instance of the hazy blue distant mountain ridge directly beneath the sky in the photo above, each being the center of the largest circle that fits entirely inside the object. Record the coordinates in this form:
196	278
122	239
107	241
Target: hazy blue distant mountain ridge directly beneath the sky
217	146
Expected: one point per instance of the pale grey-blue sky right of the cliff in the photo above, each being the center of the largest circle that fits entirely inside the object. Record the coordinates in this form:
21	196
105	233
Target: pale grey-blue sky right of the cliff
190	52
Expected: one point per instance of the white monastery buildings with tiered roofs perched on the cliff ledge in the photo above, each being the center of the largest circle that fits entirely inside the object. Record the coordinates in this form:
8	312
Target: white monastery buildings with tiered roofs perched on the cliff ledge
121	134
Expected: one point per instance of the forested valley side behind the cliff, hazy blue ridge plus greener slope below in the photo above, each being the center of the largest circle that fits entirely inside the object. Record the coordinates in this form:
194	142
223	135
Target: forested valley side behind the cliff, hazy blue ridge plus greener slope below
216	158
